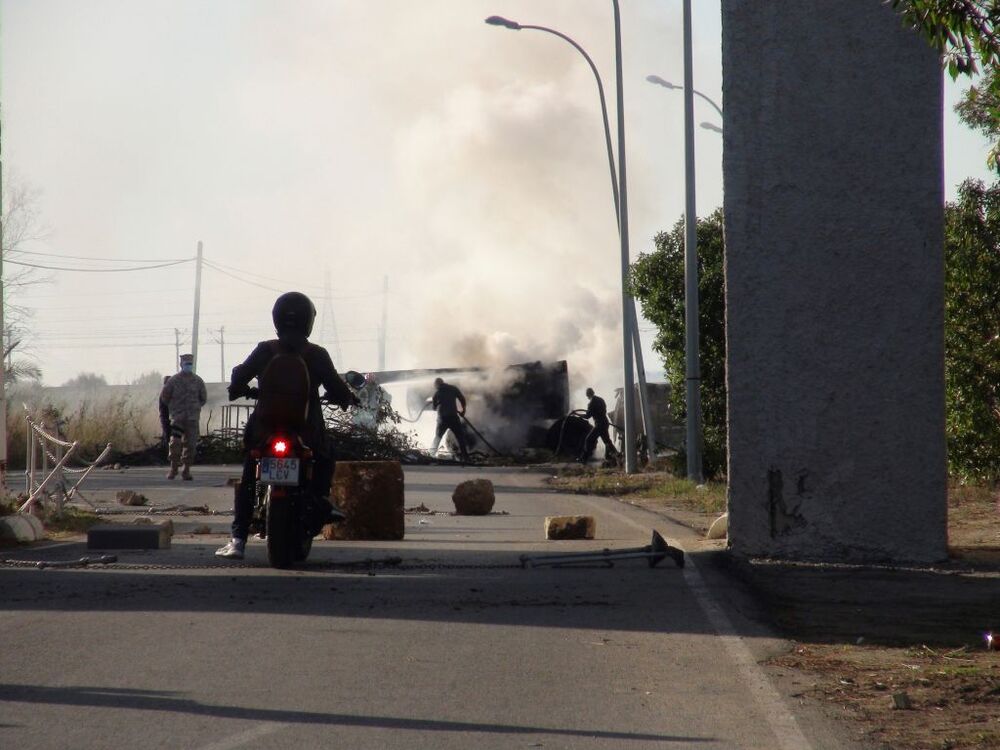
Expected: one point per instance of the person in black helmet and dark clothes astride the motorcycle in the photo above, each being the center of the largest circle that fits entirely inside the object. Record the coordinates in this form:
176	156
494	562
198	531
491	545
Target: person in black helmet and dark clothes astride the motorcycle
293	316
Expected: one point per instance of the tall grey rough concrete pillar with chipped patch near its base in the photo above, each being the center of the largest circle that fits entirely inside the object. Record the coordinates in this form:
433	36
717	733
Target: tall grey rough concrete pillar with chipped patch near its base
834	282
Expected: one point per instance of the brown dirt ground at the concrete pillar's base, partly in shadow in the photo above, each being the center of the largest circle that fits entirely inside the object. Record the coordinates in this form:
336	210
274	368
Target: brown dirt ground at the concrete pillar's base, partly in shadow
866	633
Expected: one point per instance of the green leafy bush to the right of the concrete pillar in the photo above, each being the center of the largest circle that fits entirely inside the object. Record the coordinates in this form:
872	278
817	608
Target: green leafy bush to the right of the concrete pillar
972	331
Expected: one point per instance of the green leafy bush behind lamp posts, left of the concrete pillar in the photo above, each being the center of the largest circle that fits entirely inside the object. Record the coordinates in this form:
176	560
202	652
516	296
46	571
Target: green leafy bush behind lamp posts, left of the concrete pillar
657	282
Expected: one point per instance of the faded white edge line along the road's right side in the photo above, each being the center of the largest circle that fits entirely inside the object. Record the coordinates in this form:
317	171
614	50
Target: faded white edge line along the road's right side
783	725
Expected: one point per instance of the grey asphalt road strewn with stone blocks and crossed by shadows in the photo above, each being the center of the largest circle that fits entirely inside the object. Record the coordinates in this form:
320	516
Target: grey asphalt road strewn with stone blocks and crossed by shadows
457	648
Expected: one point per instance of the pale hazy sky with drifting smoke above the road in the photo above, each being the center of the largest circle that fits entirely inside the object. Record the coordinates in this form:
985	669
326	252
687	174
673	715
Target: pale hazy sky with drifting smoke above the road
349	140
